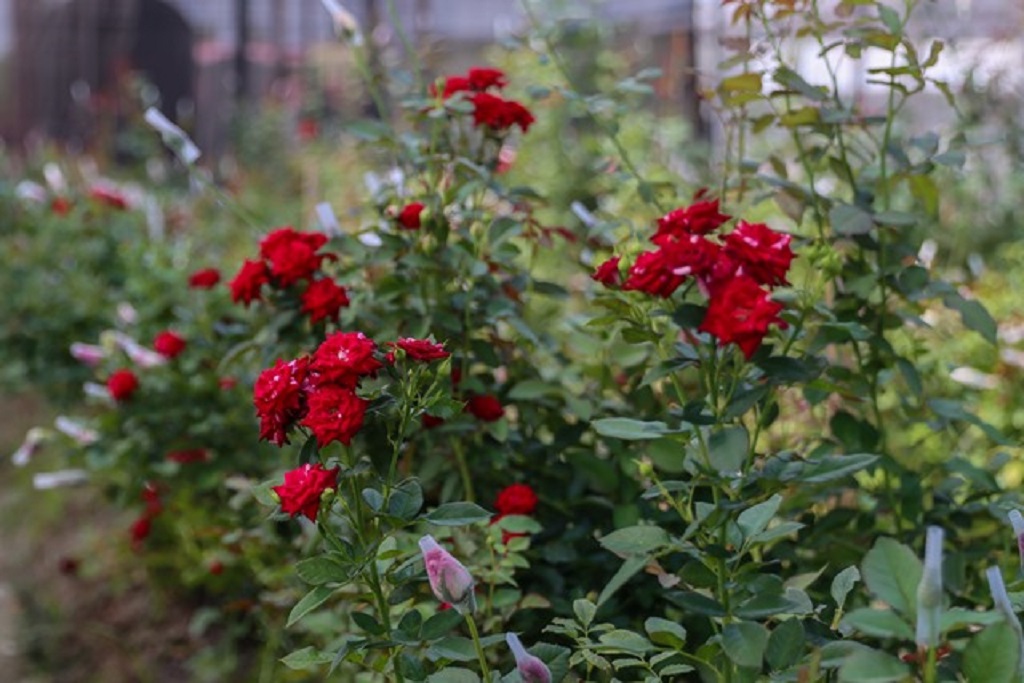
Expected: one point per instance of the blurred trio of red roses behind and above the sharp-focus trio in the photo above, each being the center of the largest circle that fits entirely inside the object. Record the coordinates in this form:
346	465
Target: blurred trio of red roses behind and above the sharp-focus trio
287	260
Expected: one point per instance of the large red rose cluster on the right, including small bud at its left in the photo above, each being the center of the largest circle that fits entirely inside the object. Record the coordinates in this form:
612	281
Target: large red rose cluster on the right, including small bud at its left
737	273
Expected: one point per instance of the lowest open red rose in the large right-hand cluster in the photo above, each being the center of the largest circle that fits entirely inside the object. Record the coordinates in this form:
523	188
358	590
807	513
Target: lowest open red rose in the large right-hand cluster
741	313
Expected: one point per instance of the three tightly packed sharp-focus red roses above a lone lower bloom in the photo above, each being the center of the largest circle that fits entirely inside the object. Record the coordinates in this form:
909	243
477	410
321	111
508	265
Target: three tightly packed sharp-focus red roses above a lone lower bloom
318	392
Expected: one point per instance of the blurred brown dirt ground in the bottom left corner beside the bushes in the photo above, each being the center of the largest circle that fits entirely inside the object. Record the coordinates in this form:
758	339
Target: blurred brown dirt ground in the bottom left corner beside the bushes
75	606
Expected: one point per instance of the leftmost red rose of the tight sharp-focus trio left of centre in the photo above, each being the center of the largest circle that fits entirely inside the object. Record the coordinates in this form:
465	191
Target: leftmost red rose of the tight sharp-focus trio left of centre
279	399
